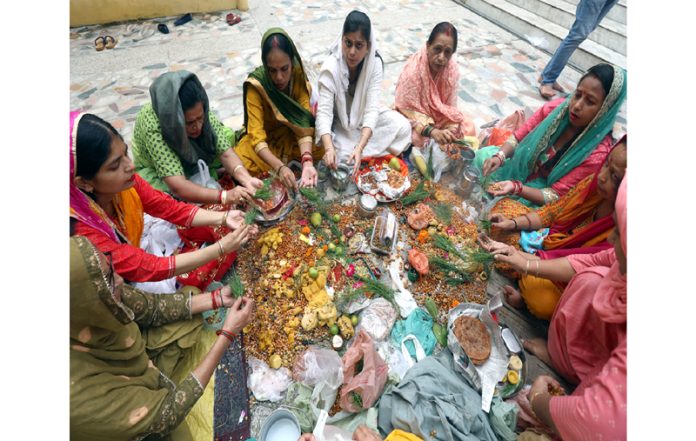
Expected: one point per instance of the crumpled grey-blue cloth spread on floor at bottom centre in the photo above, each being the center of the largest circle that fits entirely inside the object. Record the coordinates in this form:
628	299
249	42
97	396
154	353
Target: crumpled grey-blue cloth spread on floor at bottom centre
434	402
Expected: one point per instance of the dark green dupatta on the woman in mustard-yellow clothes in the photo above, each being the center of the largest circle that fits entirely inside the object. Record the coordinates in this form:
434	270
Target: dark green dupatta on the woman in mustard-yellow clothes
286	110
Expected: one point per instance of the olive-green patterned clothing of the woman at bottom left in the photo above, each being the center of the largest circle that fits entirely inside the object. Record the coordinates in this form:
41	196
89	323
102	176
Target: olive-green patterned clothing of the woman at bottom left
119	383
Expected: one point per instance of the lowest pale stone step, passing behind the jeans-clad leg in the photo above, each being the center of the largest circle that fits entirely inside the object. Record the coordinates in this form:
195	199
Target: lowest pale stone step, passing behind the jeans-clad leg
541	32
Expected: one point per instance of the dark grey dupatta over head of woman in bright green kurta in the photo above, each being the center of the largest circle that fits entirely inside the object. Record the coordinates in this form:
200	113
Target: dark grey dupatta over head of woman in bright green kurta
164	93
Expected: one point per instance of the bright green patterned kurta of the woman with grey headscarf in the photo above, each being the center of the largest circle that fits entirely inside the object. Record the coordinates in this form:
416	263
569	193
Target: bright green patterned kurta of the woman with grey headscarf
154	159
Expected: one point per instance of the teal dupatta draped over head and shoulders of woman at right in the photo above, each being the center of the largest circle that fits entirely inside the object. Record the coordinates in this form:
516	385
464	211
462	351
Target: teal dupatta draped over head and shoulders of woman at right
527	153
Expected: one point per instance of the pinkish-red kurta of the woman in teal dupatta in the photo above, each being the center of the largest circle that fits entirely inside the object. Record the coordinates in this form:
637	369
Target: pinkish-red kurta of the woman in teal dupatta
591	164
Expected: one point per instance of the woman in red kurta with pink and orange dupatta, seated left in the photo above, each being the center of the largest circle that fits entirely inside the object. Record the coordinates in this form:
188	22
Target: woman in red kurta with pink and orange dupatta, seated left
108	201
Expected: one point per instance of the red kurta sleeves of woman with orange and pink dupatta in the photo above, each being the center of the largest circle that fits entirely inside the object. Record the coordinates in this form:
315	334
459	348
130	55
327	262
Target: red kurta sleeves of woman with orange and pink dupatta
131	262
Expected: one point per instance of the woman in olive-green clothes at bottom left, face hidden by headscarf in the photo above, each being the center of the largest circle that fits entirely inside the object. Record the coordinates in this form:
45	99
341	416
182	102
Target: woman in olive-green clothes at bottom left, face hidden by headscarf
128	383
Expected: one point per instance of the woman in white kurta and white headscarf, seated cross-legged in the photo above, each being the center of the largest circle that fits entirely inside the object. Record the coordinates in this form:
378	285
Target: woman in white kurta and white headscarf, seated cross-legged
350	121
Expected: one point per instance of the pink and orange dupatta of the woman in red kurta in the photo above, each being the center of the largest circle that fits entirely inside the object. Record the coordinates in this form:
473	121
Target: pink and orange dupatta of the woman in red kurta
83	208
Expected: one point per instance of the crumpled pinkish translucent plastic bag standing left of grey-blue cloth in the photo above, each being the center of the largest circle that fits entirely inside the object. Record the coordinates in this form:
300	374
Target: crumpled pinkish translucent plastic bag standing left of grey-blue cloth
364	374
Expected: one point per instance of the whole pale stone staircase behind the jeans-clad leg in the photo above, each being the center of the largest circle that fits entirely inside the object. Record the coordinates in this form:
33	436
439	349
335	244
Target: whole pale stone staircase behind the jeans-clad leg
544	23
